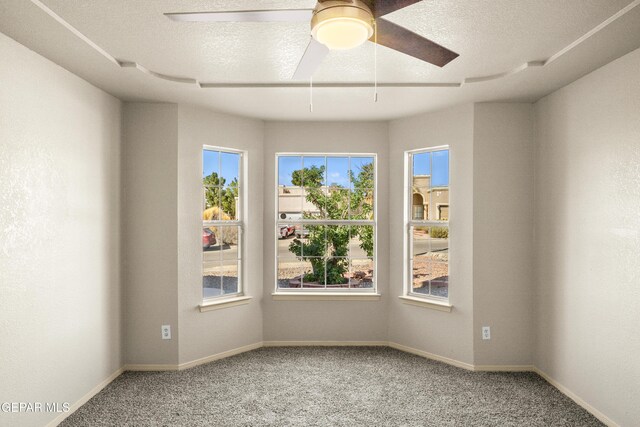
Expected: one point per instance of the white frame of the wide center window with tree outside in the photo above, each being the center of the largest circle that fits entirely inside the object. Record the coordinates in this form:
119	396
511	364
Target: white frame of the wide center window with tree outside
374	223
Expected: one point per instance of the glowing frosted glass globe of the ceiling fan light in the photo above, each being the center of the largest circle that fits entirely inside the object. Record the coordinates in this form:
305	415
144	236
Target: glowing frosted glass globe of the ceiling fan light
342	33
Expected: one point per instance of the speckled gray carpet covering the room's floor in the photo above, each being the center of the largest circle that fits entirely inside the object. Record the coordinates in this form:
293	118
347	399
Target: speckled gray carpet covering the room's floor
329	386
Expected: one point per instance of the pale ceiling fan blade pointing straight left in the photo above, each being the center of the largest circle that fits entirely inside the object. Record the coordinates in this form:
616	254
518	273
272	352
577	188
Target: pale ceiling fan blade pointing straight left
276	15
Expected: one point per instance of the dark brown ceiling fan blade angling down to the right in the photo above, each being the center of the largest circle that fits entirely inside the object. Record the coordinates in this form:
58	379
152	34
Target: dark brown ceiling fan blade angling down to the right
400	39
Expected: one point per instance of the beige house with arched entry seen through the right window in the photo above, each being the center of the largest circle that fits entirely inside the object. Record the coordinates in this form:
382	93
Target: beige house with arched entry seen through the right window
428	203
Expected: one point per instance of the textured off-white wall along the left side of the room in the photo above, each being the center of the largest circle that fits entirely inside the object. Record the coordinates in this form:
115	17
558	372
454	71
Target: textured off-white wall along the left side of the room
60	293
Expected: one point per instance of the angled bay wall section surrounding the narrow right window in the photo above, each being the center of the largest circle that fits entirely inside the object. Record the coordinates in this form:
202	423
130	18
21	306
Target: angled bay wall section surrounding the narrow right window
441	333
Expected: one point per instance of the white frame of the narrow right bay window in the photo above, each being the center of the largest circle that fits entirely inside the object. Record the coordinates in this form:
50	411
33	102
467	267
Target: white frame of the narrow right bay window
410	223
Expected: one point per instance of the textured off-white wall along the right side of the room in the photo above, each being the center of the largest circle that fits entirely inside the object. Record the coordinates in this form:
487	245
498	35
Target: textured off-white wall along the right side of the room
587	229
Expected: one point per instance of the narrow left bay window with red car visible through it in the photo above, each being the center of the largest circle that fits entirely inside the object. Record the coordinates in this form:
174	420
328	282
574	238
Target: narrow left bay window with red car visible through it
222	225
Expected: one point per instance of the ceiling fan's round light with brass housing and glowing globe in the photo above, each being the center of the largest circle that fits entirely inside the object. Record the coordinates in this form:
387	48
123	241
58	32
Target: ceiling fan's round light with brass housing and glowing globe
342	25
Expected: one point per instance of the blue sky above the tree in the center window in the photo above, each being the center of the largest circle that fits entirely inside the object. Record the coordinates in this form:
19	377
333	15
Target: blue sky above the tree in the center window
336	172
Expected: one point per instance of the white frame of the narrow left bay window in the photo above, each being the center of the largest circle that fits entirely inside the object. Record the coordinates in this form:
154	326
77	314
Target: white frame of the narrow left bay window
238	222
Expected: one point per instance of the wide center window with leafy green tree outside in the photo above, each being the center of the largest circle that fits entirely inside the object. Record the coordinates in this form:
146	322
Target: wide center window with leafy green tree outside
326	222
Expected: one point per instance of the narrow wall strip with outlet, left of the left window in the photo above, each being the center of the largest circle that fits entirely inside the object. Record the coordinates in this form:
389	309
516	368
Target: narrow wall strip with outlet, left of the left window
150	234
